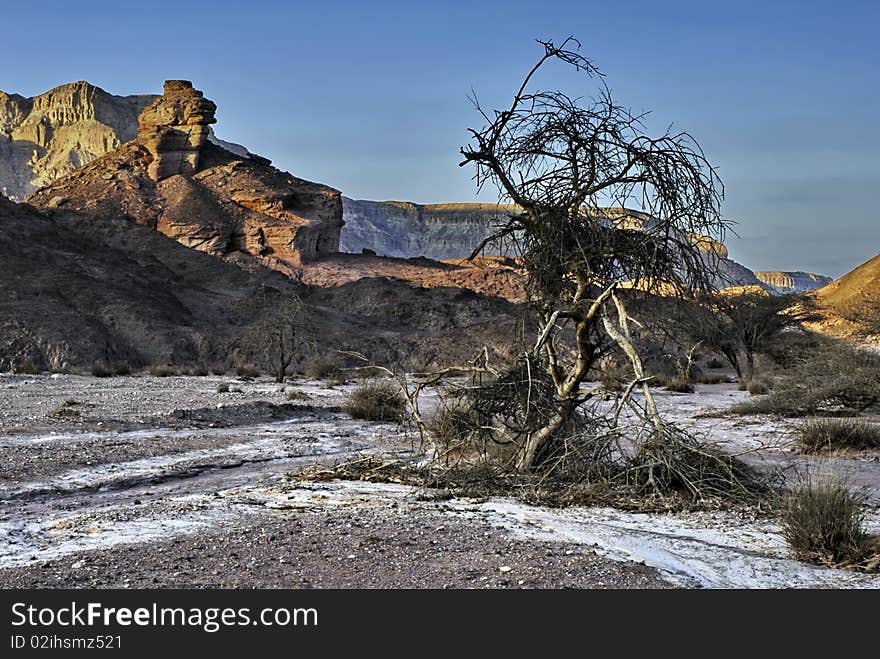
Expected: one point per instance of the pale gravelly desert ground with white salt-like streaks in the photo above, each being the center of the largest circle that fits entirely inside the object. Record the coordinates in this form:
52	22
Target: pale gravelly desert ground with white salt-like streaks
165	482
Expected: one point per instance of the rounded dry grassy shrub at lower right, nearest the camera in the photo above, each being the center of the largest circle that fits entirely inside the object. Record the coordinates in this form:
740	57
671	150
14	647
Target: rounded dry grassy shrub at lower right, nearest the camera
823	522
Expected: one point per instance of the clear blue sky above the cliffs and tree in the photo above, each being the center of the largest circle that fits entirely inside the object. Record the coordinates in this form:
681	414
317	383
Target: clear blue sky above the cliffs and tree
371	96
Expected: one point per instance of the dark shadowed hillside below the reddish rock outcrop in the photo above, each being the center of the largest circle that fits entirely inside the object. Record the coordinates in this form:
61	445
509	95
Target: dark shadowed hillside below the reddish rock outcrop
75	292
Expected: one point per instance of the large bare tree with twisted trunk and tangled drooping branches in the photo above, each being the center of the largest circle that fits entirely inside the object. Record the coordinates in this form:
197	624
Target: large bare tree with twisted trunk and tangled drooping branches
564	161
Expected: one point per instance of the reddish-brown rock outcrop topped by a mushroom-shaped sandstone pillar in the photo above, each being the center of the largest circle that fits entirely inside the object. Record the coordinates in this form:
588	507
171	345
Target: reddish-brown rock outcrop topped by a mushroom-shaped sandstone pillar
174	178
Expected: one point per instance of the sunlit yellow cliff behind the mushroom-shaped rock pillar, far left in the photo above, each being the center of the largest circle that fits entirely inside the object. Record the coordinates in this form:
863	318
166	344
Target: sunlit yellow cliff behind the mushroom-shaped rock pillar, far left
48	136
